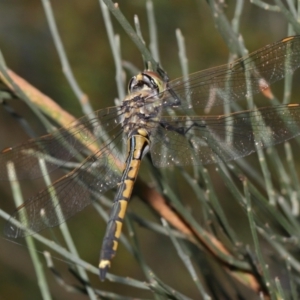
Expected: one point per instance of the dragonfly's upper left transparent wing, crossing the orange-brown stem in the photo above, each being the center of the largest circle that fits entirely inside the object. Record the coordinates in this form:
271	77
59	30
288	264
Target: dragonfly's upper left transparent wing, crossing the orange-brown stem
64	144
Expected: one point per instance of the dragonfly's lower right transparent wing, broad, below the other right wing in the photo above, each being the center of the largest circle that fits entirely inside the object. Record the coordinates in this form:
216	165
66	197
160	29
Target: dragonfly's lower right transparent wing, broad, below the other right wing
204	140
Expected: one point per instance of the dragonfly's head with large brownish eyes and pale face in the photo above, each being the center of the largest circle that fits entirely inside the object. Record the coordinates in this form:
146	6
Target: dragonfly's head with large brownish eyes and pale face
146	81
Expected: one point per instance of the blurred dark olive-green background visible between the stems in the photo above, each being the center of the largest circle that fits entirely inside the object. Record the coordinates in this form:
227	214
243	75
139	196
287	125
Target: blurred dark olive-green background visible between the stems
28	49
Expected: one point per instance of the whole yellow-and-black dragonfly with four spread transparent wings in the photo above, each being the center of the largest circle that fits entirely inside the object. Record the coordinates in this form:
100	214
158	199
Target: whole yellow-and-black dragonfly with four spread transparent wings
156	117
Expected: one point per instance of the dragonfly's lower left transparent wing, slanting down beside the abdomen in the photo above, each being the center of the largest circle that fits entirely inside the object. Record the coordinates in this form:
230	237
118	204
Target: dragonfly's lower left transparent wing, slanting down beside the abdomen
70	194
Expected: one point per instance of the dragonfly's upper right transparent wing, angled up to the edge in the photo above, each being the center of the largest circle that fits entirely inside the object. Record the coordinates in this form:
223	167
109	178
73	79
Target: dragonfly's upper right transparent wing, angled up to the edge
227	83
